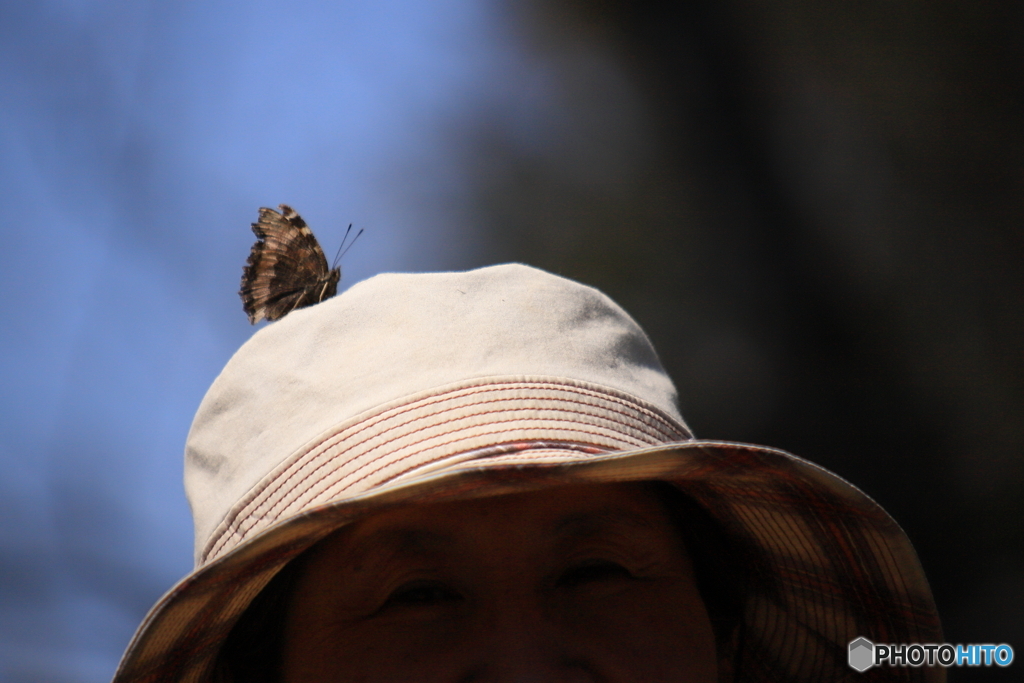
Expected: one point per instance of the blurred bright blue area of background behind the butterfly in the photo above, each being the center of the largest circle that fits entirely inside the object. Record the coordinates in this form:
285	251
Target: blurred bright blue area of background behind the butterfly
137	142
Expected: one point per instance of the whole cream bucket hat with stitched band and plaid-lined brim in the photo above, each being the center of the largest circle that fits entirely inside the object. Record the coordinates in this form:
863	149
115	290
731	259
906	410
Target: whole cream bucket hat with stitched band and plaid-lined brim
415	389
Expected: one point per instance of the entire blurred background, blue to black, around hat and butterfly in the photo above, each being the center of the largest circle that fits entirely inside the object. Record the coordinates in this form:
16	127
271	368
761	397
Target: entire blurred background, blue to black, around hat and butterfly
815	209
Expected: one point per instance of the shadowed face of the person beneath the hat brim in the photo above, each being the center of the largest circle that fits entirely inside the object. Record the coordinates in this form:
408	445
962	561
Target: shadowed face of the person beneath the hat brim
574	584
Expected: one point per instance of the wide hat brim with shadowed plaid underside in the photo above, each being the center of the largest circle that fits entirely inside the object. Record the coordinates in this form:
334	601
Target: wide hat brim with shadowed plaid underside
832	566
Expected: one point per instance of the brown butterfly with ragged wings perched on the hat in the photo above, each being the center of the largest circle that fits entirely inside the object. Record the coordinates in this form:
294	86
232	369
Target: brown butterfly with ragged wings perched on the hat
287	269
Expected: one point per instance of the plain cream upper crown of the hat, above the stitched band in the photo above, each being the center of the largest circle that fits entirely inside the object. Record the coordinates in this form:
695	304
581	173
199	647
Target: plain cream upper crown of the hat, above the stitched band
393	336
